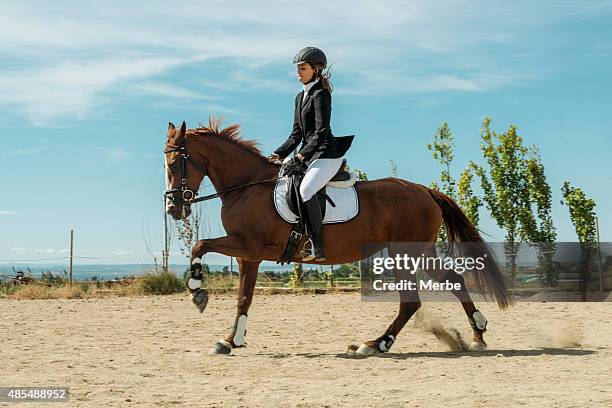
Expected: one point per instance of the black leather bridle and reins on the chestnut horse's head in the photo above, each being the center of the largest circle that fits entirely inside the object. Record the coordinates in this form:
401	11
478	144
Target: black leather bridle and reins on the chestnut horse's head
187	195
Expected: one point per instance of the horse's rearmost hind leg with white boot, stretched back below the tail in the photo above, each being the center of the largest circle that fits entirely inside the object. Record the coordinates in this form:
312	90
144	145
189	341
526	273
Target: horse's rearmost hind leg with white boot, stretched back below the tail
475	317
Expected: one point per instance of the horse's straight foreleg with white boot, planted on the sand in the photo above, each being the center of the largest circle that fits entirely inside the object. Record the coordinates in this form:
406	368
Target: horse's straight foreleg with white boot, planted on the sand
248	276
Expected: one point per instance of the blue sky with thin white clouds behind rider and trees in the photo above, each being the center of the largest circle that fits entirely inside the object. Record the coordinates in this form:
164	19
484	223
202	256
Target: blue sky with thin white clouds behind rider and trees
88	90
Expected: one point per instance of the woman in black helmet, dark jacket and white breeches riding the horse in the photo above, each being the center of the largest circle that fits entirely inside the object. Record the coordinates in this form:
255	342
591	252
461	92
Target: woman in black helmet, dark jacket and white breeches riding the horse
320	150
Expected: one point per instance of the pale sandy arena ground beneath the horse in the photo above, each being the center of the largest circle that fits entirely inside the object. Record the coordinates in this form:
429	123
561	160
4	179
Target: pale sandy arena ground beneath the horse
152	352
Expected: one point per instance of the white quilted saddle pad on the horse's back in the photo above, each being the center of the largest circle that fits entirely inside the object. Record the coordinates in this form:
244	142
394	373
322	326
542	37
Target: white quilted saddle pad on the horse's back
347	203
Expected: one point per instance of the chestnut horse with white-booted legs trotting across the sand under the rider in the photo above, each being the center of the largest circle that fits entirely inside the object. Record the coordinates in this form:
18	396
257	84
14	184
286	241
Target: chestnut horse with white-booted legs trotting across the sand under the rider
391	210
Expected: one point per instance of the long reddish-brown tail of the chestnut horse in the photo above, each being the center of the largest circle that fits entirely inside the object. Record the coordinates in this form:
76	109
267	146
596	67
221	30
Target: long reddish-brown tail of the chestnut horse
459	228
